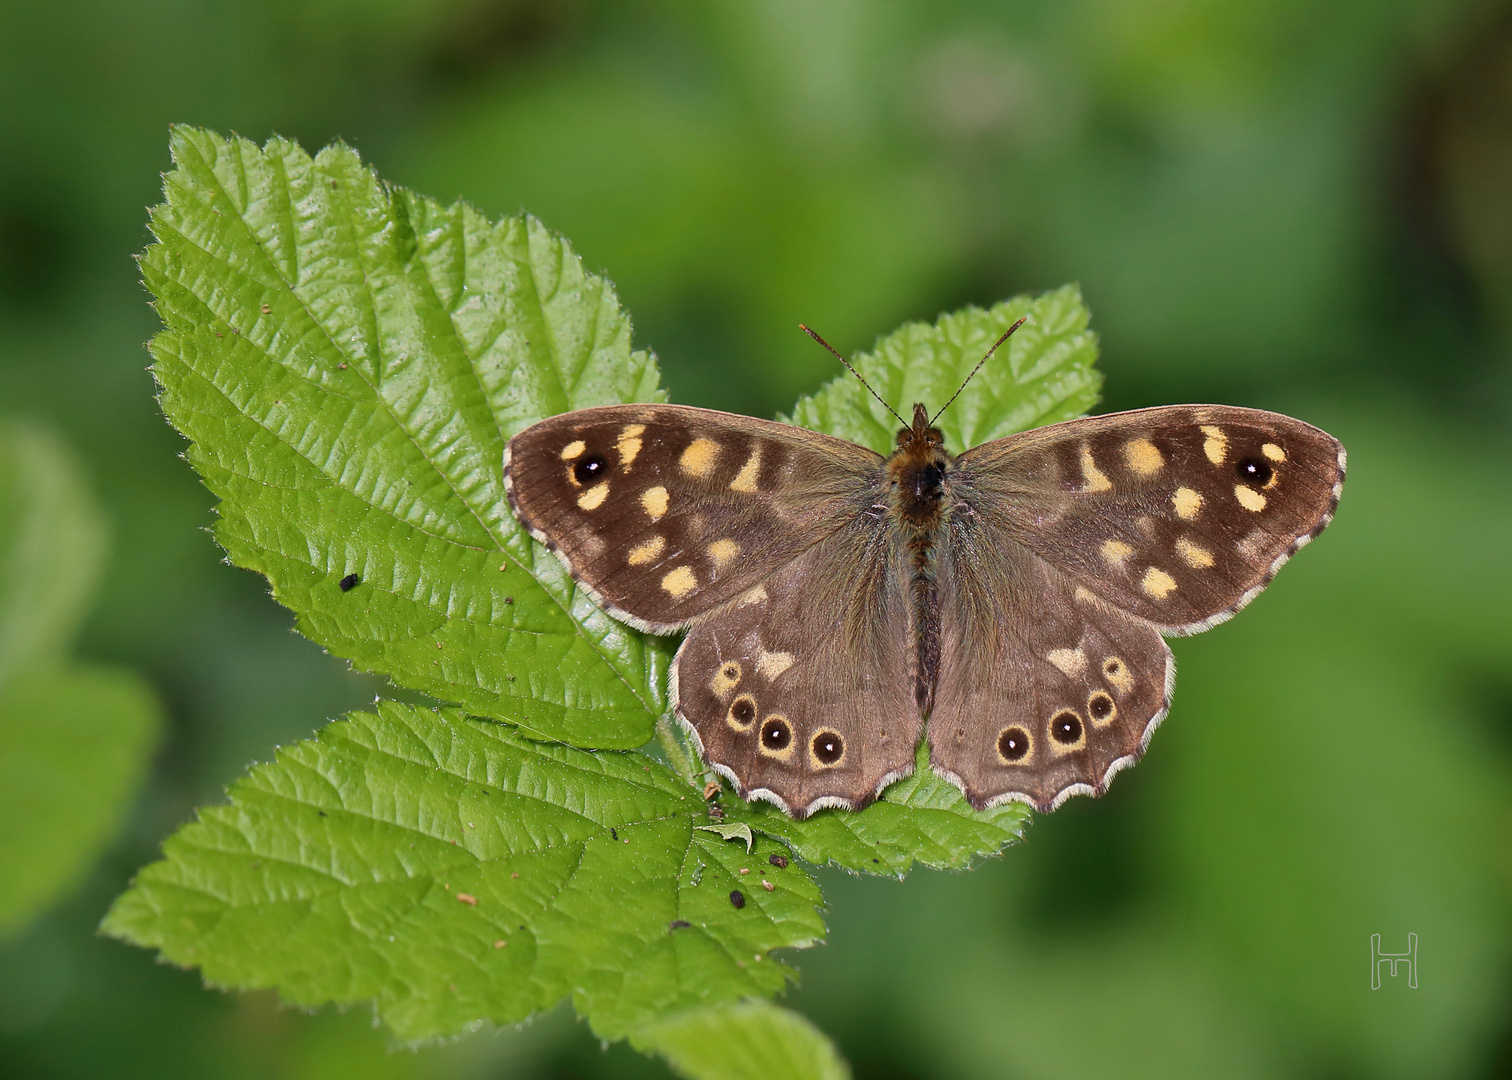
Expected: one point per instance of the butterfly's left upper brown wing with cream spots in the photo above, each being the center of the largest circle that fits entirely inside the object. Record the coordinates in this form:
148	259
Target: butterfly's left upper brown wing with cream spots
668	512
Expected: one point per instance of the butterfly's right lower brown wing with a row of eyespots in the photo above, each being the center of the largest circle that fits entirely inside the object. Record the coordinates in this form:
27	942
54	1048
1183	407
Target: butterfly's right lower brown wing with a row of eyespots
1044	691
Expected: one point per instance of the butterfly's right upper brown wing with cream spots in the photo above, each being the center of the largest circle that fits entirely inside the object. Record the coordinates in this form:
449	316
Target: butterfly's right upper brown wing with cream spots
1177	515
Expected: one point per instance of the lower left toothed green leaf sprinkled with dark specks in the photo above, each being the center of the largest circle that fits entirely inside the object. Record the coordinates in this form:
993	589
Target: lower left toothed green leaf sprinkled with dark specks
391	855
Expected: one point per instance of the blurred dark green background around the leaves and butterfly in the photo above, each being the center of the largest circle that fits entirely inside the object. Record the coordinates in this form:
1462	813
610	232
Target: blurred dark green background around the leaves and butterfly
1269	203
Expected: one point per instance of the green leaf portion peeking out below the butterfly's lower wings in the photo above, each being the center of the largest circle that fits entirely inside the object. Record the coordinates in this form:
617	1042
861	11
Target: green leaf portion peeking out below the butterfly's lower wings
922	819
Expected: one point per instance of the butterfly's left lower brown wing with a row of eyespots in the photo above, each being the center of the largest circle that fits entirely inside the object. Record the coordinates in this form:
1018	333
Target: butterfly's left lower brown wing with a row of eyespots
801	691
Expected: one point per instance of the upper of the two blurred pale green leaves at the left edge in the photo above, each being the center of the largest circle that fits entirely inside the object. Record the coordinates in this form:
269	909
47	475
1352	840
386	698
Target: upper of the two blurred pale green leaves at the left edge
52	550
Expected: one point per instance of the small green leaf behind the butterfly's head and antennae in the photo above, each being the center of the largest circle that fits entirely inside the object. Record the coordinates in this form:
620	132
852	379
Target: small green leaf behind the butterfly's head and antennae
1043	374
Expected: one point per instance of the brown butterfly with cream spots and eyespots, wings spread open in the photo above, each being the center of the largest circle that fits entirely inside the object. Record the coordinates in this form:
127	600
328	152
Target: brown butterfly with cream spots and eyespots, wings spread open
1009	603
